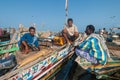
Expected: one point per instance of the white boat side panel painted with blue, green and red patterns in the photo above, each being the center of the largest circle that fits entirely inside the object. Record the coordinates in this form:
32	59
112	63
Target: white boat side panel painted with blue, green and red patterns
41	68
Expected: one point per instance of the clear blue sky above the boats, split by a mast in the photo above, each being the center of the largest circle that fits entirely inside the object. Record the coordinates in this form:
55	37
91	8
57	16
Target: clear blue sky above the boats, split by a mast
50	14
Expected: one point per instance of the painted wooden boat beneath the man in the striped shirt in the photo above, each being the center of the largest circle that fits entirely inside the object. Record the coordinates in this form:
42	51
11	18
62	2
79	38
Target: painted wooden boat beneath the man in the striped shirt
101	72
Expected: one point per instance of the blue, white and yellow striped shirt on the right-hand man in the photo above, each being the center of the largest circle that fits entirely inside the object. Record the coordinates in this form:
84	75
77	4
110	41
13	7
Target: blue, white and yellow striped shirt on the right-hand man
94	48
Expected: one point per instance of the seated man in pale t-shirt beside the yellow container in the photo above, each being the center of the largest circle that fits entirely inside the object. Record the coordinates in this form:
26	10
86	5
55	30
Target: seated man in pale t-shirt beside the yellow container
70	31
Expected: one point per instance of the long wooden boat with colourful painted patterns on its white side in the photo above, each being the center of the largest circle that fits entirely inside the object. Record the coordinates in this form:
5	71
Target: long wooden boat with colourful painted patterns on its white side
42	67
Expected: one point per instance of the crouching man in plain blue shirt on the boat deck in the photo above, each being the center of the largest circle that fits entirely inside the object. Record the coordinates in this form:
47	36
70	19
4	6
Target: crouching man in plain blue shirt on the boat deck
29	40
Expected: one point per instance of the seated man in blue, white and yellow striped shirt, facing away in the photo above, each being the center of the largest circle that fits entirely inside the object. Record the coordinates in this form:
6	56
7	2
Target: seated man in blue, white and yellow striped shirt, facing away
93	49
